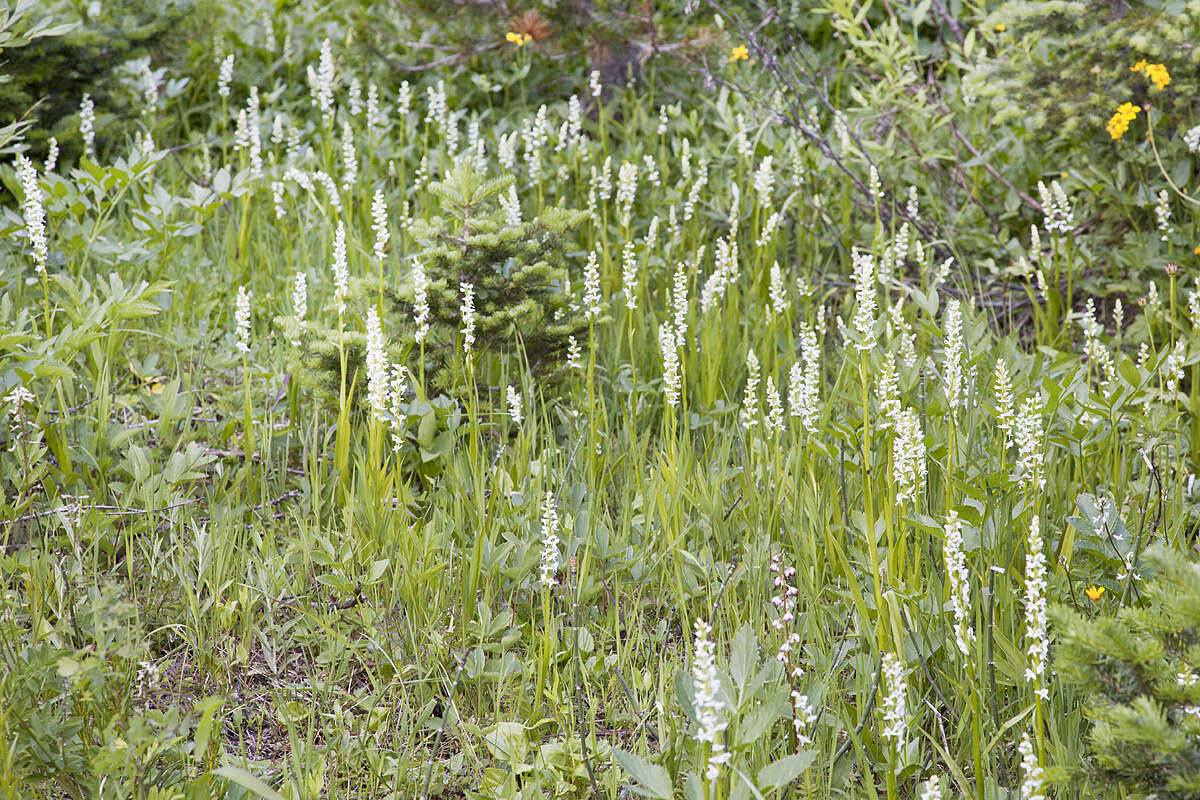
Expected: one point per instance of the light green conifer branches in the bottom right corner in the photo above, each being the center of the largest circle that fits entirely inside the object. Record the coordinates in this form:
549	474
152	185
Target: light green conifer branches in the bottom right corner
1141	672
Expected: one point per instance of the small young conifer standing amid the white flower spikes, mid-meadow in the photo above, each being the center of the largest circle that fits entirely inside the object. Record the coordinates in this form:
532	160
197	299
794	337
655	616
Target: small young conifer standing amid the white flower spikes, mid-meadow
524	315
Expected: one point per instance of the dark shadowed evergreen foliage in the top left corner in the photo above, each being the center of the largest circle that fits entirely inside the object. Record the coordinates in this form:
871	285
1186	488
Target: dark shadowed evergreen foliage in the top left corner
56	73
